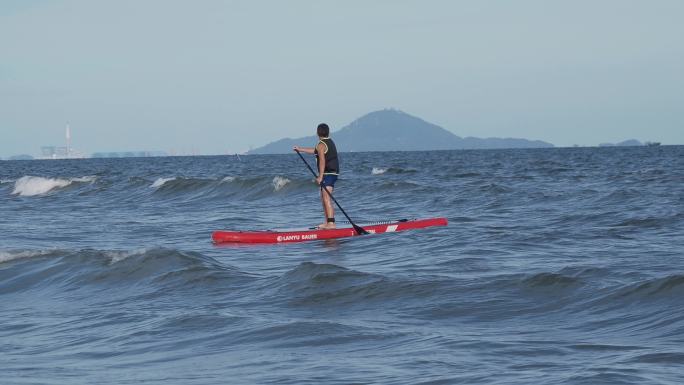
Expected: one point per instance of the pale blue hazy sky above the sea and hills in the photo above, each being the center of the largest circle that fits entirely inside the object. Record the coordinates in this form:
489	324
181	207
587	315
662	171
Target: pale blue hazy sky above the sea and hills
219	77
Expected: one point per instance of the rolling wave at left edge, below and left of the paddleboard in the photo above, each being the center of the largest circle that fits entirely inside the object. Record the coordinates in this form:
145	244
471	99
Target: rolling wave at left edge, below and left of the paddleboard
154	268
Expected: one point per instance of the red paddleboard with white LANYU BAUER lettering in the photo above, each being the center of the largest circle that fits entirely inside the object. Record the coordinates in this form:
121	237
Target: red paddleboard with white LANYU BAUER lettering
284	236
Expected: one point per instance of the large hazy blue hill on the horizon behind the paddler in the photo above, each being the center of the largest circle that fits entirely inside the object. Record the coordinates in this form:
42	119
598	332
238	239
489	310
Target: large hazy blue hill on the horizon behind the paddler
393	130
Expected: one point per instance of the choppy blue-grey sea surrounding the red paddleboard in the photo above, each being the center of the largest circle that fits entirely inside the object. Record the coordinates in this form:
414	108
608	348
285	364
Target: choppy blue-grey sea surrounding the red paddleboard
558	266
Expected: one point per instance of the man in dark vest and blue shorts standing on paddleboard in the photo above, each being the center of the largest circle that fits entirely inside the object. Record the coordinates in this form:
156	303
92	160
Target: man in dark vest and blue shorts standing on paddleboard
328	170
